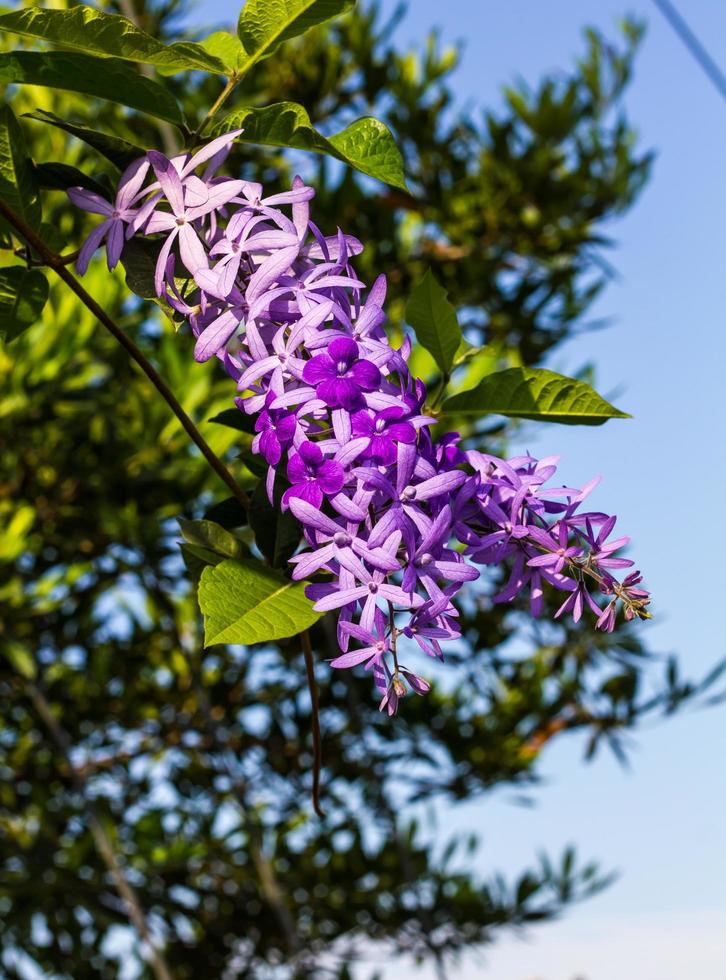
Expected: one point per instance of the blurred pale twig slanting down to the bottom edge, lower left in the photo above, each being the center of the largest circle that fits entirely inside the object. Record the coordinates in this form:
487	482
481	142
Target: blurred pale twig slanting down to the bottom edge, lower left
102	841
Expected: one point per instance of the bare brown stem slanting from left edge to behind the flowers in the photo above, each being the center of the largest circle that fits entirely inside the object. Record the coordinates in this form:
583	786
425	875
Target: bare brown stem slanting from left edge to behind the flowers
56	263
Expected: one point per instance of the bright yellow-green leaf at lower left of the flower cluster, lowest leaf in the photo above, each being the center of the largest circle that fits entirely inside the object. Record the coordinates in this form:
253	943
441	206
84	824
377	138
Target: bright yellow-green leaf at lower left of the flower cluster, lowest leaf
245	602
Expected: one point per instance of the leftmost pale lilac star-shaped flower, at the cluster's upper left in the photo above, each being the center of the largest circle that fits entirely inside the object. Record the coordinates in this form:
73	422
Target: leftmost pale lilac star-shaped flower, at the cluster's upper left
118	215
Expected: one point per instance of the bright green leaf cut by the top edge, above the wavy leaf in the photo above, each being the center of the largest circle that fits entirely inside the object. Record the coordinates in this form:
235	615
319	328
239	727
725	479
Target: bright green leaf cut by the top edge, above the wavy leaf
265	24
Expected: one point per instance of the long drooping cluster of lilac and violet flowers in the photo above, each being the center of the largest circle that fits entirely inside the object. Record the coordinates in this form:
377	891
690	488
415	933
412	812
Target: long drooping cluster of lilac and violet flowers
394	521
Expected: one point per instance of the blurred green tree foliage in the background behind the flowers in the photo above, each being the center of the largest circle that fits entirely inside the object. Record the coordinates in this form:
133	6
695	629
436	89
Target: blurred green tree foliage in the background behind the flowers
197	763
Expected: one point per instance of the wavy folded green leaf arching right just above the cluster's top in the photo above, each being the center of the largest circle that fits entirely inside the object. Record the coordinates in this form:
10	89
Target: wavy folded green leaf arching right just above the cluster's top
367	144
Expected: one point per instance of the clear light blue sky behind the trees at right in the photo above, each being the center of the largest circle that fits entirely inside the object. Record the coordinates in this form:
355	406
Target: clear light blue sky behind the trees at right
661	823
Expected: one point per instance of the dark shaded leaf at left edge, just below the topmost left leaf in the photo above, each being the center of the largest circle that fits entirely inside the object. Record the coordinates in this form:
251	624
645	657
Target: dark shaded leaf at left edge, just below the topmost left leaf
104	78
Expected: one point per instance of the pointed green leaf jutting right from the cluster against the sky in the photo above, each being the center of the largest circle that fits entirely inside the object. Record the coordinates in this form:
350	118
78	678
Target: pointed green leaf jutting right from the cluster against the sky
534	393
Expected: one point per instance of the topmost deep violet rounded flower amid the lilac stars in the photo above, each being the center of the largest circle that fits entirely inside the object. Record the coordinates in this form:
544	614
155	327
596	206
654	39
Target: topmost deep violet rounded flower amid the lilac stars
340	376
